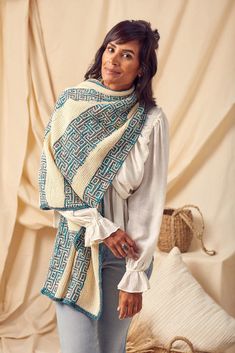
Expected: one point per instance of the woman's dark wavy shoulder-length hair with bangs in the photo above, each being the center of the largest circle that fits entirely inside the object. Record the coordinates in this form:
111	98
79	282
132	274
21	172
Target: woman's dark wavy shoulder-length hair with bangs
124	32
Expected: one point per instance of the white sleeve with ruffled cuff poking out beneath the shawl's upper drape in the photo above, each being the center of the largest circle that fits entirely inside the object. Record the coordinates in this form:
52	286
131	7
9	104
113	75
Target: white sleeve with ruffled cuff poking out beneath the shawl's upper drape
97	227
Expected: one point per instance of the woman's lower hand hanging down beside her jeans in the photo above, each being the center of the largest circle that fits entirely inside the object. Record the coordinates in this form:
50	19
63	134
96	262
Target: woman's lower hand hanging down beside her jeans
129	304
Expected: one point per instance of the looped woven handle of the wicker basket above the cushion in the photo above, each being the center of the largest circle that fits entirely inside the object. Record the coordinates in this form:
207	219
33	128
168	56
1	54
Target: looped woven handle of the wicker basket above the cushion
189	222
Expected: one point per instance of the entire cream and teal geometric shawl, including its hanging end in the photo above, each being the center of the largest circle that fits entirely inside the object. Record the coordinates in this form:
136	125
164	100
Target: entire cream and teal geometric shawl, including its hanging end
89	135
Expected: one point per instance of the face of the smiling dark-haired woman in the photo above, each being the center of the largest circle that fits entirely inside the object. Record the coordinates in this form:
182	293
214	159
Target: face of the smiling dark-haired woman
120	65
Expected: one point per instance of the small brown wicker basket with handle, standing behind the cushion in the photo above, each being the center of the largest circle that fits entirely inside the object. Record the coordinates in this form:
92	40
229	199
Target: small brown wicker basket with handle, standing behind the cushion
178	228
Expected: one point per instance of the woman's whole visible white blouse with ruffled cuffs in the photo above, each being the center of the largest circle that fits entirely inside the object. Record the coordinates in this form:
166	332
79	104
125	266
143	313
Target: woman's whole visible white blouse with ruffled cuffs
135	201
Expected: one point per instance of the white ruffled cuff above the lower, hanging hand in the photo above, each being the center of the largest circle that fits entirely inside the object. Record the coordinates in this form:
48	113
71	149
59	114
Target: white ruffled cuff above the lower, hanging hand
134	282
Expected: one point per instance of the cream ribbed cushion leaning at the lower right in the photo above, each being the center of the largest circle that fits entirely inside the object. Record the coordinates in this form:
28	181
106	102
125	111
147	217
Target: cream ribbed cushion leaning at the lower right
183	308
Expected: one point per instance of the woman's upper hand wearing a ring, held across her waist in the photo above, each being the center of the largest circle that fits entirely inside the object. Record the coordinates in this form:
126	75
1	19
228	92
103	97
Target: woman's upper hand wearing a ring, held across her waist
122	245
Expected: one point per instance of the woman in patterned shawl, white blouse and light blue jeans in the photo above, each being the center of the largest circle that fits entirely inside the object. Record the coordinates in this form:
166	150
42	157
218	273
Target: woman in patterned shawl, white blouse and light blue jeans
104	171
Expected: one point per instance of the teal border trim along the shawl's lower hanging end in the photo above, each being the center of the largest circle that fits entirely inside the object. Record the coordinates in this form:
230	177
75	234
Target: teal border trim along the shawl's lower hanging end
45	292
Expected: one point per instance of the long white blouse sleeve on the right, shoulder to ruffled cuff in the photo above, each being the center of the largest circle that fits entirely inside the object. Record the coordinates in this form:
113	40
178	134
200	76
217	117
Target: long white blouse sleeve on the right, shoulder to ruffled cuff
145	209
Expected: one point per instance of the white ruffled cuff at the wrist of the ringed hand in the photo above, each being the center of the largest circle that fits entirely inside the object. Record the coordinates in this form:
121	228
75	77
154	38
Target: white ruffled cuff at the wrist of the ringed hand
99	229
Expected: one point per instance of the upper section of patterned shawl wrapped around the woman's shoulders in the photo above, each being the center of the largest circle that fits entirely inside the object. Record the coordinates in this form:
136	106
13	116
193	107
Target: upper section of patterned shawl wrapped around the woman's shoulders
99	120
